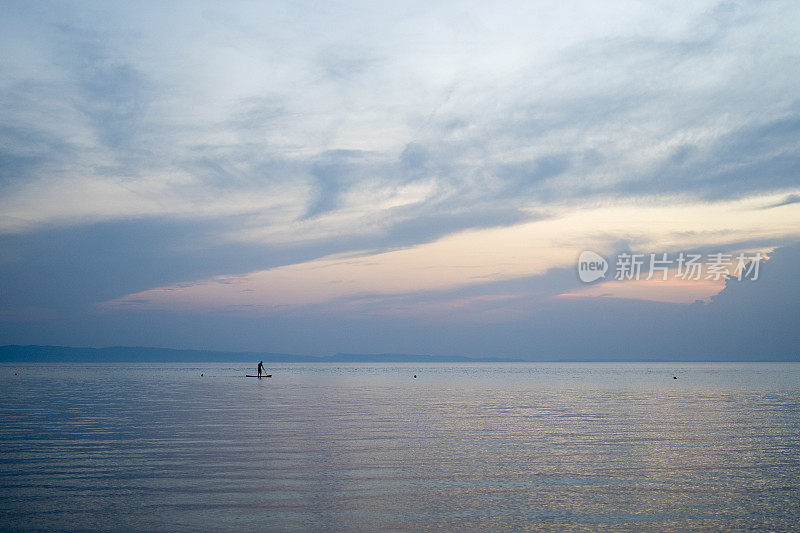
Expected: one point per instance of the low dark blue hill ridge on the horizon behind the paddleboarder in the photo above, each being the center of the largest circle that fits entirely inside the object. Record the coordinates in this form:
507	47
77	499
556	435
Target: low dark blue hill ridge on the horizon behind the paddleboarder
136	354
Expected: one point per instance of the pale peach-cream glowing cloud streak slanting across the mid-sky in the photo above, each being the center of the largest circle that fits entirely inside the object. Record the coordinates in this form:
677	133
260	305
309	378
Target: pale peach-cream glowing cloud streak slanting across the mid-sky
481	256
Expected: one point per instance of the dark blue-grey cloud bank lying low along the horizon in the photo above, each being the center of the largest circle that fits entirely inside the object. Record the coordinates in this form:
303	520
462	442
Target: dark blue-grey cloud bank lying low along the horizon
734	327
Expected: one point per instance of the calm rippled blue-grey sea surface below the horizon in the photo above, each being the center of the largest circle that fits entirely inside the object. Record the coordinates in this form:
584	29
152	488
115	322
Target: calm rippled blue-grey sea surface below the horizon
368	447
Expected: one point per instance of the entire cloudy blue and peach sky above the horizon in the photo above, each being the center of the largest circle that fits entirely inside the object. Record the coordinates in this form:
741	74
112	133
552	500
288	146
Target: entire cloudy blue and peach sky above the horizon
406	177
